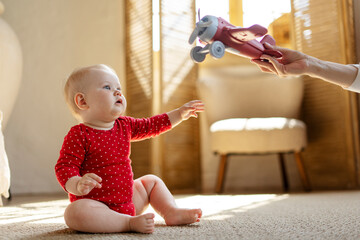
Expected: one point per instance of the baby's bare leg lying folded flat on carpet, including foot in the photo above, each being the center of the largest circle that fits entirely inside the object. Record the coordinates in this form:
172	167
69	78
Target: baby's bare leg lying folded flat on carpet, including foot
88	215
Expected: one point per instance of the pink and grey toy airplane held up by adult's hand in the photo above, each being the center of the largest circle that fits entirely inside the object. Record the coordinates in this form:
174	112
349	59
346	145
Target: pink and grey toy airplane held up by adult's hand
219	35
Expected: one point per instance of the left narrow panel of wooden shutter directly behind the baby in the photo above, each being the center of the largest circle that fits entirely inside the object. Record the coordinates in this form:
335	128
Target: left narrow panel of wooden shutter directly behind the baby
139	75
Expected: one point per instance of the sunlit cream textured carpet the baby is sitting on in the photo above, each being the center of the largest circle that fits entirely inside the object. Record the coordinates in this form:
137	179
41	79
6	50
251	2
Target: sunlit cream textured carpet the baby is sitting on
314	215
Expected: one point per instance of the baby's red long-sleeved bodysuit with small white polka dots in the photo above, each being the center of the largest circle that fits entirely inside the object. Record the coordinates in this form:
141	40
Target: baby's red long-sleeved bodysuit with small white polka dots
106	153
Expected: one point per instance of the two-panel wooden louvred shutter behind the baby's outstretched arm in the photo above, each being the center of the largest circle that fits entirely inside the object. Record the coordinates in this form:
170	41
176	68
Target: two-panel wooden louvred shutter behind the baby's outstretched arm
160	82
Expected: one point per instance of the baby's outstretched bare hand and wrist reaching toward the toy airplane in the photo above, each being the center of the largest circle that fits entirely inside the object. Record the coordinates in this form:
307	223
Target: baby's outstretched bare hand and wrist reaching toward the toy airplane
185	112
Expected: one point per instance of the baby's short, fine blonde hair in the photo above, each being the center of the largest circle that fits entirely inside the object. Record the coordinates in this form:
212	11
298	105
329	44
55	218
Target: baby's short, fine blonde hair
76	83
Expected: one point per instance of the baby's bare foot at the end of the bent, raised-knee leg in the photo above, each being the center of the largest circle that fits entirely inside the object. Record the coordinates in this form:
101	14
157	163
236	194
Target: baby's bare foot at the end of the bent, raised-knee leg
181	216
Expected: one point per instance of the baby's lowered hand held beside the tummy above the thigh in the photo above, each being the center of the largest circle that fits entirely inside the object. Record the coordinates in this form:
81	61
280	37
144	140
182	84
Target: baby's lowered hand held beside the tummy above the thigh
83	185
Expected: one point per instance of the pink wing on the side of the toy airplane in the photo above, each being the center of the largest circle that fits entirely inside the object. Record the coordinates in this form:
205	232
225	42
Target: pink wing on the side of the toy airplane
247	34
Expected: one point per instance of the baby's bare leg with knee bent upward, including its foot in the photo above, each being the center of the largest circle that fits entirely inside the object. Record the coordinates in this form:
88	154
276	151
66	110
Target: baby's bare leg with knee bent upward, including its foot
151	189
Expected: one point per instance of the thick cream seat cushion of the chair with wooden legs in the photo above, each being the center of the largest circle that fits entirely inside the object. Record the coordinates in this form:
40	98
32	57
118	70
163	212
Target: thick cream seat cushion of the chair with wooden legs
258	135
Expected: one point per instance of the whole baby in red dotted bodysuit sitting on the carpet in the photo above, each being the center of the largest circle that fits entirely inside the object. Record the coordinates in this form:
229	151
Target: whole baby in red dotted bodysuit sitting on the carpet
94	165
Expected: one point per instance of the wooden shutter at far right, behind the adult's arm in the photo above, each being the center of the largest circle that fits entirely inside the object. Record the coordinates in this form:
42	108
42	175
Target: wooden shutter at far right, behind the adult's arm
324	29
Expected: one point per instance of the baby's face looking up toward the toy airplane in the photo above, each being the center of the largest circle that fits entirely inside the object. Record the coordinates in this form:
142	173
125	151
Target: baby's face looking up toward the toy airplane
103	96
